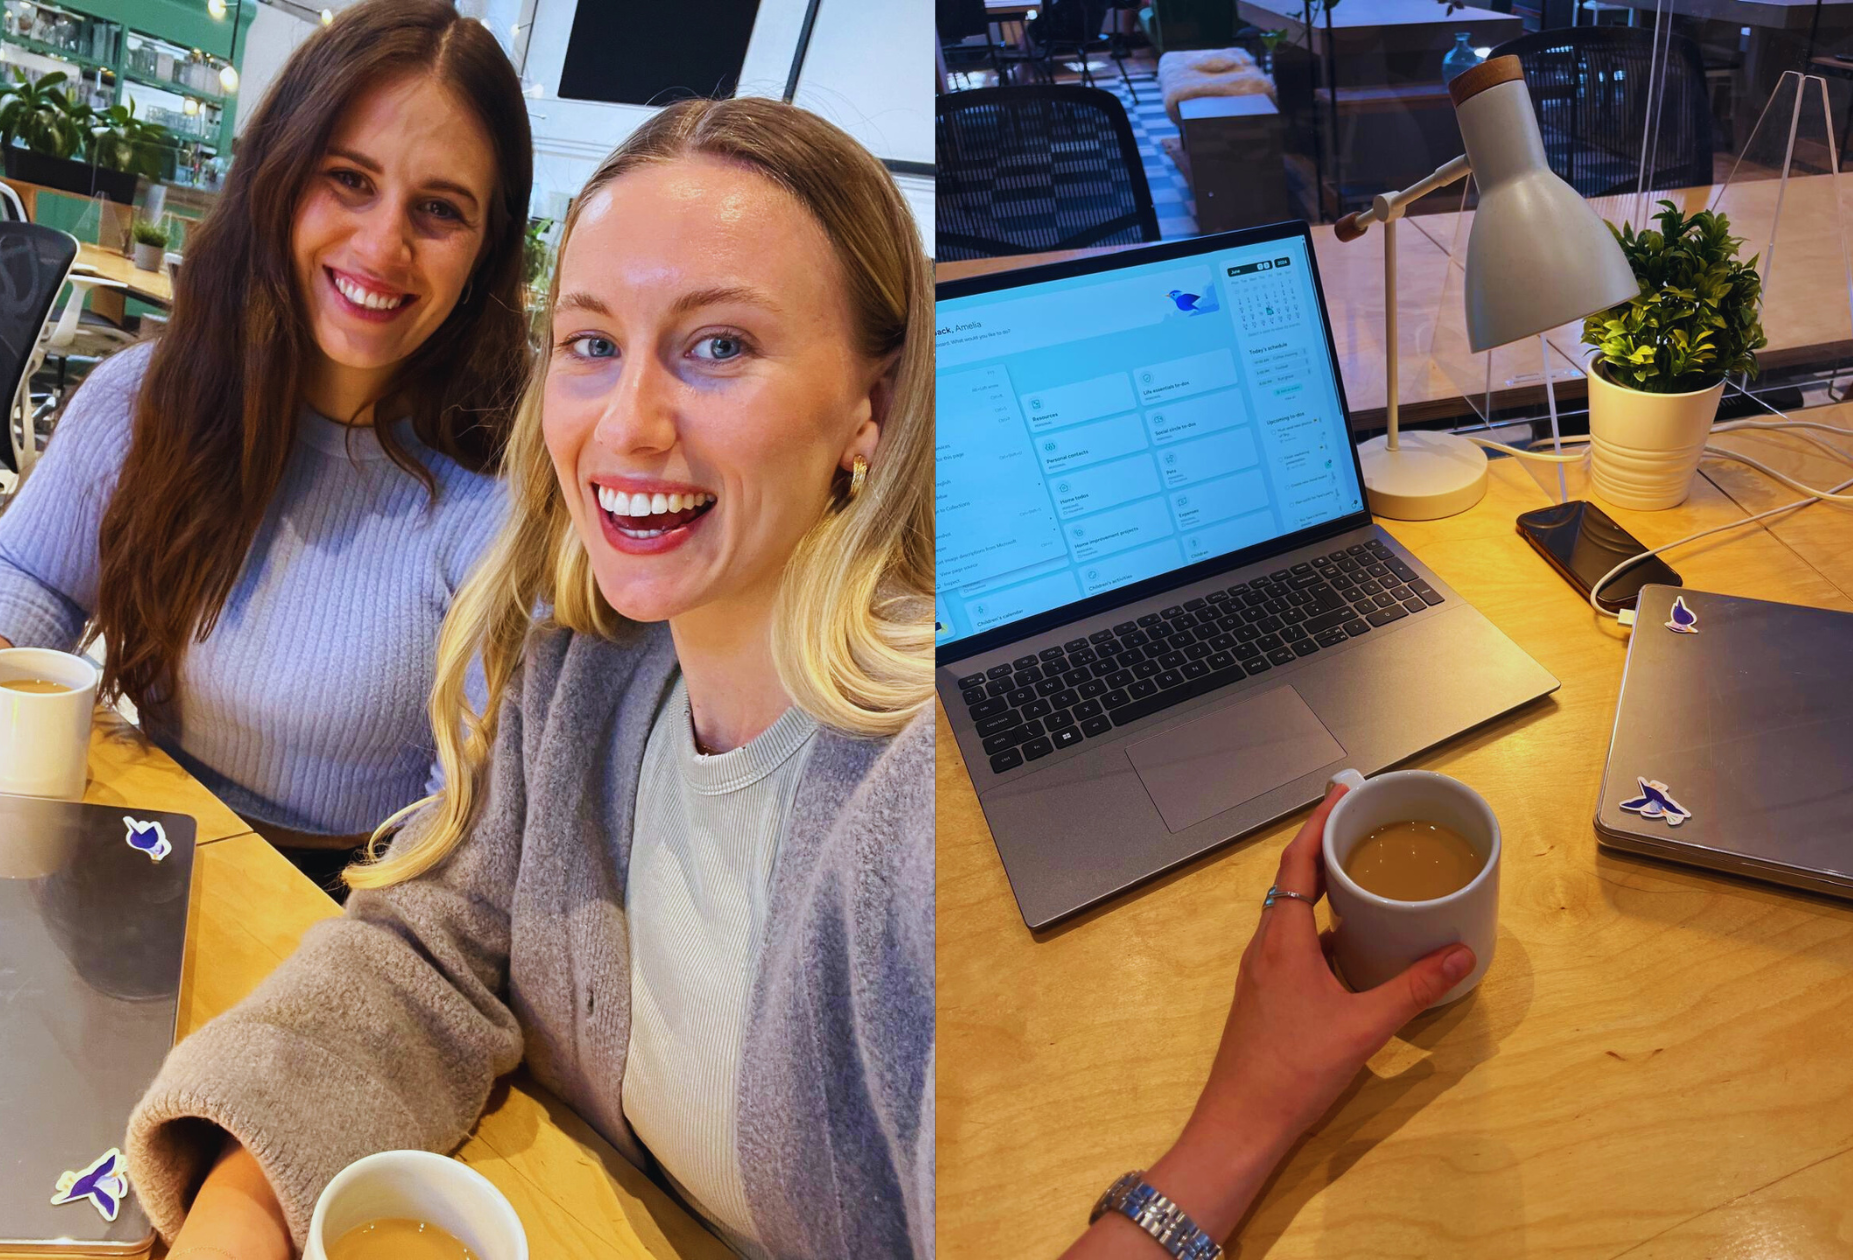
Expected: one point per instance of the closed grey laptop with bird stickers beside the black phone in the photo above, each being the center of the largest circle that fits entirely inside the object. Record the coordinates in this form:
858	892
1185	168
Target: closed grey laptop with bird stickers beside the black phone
1732	740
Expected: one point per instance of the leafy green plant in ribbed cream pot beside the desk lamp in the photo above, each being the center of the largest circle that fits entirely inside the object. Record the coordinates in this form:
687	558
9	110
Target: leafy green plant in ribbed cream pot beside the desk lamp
1663	357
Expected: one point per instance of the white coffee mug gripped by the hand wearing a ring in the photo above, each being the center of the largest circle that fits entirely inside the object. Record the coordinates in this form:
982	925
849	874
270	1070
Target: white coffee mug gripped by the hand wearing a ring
1378	937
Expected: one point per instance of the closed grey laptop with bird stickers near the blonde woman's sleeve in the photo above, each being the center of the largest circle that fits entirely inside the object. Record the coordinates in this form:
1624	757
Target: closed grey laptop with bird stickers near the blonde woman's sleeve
94	929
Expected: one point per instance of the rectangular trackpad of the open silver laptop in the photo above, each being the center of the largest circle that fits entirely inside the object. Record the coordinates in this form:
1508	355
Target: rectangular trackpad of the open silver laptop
1233	755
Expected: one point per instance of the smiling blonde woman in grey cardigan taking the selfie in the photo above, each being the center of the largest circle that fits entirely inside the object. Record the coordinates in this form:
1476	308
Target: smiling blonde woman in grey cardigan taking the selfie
683	864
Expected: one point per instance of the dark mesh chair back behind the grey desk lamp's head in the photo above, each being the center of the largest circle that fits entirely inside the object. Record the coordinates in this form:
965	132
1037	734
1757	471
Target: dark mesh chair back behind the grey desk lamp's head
1591	86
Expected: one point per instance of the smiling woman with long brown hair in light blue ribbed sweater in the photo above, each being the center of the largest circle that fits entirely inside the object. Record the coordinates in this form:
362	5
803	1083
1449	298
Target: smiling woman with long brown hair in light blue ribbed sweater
266	512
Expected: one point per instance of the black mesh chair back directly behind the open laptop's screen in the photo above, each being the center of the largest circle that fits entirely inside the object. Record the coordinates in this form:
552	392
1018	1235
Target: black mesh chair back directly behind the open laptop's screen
1046	168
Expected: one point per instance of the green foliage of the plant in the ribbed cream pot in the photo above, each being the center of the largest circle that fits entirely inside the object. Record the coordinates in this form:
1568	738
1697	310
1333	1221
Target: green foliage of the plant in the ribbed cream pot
1695	320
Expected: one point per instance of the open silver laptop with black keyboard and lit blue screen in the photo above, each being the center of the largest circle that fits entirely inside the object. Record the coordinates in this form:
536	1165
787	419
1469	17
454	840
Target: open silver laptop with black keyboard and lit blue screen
1165	616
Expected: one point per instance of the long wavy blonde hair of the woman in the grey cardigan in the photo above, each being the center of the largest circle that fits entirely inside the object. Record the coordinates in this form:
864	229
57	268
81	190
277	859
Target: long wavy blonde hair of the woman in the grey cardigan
851	631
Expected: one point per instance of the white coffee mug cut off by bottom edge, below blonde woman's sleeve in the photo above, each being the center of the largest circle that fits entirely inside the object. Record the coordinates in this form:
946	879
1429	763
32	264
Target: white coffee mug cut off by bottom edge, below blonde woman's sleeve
420	1187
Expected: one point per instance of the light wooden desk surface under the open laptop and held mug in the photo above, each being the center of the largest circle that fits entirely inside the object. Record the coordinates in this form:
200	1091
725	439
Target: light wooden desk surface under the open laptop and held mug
1654	1066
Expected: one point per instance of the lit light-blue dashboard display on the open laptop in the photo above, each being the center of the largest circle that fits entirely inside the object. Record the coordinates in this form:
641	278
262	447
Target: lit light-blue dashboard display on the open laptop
1102	431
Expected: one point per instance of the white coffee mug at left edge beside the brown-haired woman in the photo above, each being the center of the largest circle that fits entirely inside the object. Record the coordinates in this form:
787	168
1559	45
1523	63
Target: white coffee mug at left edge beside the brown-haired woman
45	740
